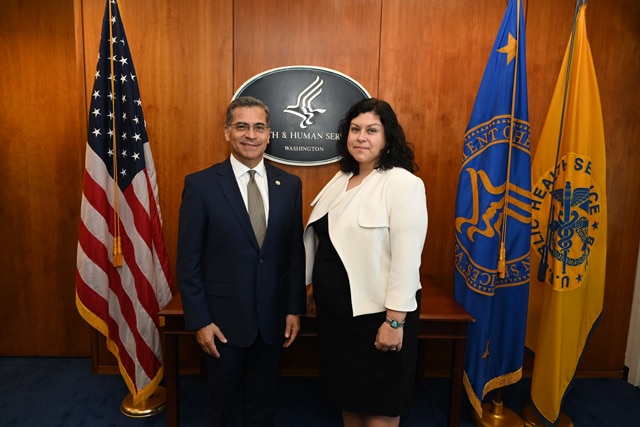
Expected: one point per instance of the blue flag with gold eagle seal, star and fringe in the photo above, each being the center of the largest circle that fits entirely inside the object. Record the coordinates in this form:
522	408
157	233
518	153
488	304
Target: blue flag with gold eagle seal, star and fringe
493	217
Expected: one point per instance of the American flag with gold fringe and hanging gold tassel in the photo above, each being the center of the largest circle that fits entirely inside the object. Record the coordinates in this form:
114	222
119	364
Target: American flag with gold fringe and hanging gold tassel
122	275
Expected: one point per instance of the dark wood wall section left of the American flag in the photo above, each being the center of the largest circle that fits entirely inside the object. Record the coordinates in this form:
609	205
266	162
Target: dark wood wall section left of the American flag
41	154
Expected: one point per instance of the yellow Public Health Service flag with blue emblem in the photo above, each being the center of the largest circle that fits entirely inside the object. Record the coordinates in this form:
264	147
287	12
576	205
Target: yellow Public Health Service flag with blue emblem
569	226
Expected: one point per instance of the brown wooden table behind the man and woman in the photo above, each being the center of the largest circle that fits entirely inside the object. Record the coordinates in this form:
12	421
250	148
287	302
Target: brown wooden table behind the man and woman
441	317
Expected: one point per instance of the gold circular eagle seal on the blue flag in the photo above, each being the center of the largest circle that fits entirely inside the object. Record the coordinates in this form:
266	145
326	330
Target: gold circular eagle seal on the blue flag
486	199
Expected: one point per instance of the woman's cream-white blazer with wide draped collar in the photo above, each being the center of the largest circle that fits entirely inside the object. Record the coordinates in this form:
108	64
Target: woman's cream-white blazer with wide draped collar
379	240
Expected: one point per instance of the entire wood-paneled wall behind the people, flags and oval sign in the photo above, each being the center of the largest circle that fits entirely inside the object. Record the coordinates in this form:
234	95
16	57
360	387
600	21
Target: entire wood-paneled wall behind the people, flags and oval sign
426	57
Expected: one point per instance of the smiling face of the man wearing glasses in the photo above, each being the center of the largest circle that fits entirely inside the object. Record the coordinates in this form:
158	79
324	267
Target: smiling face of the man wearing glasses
248	135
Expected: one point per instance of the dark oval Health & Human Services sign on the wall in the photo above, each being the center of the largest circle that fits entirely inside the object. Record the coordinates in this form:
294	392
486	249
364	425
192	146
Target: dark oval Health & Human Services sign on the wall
306	105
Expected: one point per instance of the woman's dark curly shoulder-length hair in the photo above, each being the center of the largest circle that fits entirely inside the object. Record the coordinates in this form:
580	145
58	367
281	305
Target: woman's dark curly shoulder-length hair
397	153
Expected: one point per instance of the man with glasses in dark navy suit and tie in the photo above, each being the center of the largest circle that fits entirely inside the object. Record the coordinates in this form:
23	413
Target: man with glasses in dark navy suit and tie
242	288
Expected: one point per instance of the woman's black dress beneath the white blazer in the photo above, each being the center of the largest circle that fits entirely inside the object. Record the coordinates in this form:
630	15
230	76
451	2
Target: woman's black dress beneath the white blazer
354	376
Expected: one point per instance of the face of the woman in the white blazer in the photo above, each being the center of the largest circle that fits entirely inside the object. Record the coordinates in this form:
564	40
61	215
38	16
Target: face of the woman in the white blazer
366	140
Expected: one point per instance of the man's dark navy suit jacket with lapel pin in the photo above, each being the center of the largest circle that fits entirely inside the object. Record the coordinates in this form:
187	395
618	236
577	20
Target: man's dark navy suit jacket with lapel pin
224	275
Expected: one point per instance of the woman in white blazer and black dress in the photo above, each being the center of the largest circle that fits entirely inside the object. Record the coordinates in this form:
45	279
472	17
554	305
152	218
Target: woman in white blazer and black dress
364	243
